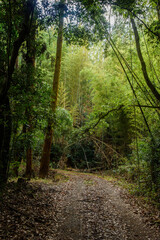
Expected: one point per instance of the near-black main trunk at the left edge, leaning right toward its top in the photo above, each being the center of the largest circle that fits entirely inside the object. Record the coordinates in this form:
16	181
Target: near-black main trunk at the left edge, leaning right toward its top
5	111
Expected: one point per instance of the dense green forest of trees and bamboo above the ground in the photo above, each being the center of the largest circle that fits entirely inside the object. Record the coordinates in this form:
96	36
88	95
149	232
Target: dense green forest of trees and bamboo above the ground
80	88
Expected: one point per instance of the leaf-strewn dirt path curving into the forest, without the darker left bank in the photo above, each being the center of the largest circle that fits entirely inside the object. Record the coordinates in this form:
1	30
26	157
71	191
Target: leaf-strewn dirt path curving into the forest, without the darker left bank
90	207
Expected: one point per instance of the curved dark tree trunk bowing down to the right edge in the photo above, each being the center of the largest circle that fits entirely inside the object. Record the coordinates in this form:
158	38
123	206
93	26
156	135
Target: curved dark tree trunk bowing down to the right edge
143	64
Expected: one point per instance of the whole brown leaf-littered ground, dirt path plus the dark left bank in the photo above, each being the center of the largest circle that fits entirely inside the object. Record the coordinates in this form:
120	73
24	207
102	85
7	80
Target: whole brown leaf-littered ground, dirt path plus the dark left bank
83	207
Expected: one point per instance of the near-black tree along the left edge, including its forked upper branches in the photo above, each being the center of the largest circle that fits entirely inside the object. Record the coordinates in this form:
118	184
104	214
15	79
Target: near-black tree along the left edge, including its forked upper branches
13	46
